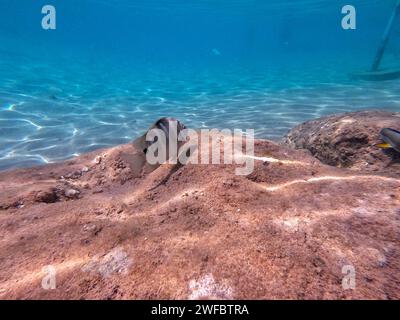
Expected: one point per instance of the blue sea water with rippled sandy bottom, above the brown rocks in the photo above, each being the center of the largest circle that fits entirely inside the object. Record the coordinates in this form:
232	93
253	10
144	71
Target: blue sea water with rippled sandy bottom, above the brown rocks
112	67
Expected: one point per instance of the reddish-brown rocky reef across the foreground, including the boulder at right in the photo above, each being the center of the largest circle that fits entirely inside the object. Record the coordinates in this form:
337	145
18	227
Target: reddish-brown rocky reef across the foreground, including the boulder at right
288	230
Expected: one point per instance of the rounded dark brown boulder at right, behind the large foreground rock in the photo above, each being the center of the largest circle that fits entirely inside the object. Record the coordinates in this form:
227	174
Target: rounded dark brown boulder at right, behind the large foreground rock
349	140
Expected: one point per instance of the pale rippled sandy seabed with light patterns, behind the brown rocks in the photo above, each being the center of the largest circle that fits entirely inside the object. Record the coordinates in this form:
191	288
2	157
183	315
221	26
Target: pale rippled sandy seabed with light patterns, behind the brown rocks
50	113
